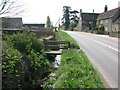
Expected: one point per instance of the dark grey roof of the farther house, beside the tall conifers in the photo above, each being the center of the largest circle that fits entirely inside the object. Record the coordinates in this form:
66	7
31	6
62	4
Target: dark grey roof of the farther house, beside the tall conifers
89	16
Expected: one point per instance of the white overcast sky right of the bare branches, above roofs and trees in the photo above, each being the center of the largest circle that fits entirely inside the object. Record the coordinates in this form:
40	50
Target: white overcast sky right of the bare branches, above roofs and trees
38	10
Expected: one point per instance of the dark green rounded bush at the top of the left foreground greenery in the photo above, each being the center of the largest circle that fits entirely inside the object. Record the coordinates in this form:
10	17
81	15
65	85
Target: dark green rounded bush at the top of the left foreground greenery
24	41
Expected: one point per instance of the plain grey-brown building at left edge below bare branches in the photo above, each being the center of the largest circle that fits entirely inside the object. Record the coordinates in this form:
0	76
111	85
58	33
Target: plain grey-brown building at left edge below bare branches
7	23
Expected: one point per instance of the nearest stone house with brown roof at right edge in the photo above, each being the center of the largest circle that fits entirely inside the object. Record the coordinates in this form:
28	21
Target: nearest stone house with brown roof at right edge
110	19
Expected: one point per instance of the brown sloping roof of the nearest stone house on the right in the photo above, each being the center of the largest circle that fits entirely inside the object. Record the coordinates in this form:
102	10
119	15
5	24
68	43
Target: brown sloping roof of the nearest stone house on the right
108	14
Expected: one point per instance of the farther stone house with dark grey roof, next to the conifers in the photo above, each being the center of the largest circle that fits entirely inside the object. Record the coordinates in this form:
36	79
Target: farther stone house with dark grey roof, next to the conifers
87	20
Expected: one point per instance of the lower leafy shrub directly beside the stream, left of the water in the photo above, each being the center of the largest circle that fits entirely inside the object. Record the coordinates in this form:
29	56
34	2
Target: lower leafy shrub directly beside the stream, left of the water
38	69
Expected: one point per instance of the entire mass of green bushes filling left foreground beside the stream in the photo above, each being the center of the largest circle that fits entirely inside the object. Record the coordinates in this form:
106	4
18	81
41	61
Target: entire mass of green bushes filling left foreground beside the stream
24	62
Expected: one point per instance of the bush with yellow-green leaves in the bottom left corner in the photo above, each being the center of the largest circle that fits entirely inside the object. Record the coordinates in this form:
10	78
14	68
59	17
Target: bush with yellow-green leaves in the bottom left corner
11	66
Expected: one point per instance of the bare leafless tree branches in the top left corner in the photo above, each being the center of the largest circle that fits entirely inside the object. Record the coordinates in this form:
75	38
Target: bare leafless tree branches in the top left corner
10	7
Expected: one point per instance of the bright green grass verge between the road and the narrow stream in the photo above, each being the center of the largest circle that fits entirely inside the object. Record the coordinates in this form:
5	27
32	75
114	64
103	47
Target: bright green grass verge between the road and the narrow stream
75	70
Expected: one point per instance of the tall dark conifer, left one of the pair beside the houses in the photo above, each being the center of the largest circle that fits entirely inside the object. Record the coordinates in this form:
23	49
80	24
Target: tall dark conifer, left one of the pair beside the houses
66	16
